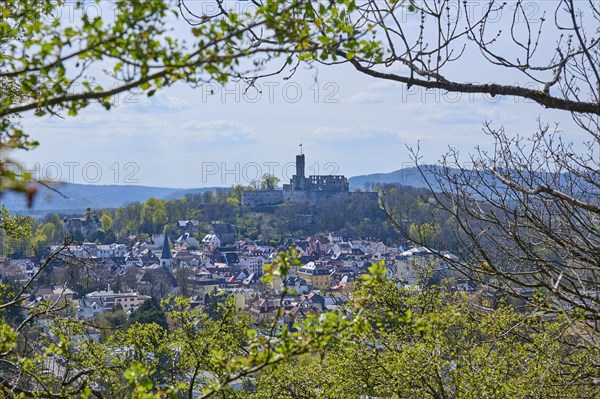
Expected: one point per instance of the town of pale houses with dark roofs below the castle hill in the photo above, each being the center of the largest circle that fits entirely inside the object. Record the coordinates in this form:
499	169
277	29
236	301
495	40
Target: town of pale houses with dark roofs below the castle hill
160	266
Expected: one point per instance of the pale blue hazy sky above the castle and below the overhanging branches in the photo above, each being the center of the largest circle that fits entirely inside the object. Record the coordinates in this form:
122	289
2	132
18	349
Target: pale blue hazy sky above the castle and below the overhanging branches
347	123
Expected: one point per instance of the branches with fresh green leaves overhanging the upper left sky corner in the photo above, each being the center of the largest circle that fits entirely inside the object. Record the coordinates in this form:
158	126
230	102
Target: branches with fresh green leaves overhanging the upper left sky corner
52	65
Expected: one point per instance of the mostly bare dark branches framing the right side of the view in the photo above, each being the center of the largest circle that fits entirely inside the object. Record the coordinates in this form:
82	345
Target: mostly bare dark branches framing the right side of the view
526	213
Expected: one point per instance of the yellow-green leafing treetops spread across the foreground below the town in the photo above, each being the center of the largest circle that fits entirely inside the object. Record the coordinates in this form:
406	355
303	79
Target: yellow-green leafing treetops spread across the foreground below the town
395	342
